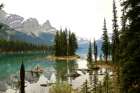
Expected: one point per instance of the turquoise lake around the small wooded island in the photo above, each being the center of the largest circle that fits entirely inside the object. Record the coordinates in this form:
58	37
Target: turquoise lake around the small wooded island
53	70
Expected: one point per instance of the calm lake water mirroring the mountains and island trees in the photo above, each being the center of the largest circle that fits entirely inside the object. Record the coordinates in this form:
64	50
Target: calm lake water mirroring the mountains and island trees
53	71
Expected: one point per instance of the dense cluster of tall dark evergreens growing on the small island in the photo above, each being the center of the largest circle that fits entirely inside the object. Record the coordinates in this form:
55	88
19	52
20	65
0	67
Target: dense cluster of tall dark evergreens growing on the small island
65	43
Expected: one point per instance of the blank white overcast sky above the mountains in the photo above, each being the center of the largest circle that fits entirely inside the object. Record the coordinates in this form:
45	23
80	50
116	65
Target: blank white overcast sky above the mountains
84	17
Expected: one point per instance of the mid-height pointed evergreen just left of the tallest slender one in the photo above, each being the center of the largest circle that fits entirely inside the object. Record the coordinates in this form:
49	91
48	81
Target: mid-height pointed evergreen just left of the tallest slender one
105	44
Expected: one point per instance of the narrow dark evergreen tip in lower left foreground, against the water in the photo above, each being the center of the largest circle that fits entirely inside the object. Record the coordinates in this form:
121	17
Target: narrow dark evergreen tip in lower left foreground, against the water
22	78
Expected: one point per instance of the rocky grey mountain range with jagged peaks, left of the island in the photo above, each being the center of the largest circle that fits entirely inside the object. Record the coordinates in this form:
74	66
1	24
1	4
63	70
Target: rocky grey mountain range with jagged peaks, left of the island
17	28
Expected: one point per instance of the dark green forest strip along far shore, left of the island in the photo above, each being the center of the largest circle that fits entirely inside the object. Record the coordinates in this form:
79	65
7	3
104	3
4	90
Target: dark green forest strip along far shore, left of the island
19	46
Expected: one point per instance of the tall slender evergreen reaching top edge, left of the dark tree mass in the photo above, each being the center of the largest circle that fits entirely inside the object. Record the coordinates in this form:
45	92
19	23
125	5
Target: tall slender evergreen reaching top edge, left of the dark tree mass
115	36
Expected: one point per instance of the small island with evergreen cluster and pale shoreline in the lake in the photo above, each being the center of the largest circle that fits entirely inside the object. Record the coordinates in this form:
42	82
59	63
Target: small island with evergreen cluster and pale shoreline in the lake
65	46
